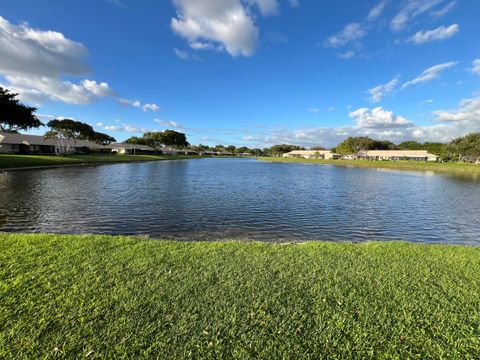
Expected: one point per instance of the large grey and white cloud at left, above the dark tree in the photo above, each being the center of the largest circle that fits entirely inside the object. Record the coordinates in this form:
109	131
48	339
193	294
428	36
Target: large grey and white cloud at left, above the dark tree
34	61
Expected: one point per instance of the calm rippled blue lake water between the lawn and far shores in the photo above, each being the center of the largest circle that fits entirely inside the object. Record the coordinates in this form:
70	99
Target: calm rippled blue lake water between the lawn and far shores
239	198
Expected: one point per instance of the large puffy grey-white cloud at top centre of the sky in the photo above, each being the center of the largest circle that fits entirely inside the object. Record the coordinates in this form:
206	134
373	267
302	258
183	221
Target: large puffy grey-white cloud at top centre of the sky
225	23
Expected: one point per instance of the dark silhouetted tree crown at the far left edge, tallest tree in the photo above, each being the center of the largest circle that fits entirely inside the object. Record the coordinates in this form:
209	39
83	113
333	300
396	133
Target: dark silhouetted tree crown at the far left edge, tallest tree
14	115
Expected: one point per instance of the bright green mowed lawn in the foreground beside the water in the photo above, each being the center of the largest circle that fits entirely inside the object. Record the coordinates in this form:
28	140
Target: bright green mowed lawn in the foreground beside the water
121	297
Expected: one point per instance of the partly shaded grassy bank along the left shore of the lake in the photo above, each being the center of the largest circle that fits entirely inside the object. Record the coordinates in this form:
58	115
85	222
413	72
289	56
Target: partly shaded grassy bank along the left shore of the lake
19	161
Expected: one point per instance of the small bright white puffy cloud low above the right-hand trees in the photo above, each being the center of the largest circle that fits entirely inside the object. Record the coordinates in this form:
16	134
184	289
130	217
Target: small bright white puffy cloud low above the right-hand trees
378	118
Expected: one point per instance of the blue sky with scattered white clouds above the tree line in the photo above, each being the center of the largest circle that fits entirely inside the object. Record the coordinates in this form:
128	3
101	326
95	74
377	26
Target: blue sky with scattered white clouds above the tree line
249	72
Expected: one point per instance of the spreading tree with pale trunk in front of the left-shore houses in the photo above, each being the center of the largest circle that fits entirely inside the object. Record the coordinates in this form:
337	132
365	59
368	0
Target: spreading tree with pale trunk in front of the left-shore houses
65	132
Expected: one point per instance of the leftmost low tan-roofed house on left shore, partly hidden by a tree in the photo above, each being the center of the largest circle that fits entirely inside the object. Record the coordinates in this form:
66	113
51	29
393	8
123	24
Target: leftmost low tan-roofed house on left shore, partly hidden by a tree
39	145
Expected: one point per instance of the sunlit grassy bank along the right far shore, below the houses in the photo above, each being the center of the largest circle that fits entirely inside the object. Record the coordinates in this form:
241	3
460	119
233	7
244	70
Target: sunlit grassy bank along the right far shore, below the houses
401	165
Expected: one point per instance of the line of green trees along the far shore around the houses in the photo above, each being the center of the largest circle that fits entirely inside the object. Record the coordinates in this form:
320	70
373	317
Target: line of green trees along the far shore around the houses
15	117
